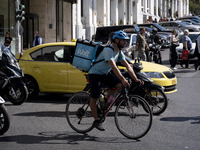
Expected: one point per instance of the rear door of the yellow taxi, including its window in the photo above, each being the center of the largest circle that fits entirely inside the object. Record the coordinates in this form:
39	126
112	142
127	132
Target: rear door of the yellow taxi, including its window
50	69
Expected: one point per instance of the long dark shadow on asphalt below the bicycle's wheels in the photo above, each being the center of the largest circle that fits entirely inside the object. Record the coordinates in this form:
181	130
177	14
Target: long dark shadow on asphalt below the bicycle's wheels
58	137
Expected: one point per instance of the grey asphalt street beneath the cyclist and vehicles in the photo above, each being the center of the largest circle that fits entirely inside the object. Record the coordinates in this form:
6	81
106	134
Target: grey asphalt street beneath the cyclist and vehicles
41	124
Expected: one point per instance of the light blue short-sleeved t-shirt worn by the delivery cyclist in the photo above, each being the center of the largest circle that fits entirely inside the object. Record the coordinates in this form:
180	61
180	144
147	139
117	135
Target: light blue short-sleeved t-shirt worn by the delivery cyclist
104	67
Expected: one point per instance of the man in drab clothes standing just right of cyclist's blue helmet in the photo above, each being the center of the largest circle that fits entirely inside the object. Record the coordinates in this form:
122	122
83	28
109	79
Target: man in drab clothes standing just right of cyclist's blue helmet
141	44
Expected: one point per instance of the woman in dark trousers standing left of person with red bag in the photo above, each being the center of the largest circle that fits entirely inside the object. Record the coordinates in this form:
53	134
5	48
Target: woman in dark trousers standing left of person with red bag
173	52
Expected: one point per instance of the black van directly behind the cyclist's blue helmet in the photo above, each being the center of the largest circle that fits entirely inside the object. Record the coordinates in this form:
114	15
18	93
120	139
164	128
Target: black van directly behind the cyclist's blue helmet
102	33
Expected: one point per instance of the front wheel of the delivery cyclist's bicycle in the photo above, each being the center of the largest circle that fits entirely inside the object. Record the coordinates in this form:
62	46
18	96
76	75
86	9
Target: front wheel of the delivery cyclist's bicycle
133	117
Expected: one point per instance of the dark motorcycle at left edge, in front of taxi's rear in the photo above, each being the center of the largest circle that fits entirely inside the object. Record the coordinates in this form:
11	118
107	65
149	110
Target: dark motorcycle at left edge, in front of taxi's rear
11	85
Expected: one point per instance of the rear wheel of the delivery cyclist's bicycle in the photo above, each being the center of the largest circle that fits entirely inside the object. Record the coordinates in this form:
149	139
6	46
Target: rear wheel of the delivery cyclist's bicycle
78	112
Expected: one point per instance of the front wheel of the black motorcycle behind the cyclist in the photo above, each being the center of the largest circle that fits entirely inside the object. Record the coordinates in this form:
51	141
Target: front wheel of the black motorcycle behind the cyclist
157	101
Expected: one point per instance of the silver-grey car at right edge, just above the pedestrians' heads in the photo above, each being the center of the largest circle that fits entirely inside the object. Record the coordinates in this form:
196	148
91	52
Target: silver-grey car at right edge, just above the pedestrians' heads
179	25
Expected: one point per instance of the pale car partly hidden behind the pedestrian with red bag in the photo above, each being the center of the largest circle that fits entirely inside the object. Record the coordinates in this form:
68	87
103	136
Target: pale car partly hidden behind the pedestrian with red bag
193	37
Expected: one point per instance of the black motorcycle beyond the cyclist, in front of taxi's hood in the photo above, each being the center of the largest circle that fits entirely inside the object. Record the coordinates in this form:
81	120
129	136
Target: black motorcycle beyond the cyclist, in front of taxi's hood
151	92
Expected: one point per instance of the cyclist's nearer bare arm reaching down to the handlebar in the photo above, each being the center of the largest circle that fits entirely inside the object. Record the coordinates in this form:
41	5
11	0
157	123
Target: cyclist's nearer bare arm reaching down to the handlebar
118	73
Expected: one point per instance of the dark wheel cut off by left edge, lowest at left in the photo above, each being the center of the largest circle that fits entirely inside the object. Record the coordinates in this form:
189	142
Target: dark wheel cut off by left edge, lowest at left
4	120
